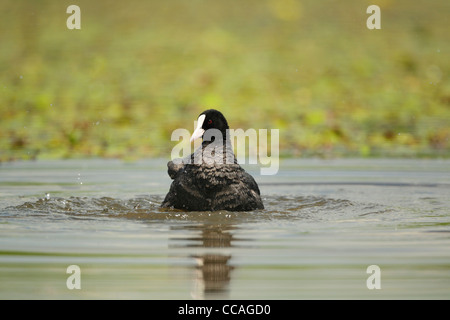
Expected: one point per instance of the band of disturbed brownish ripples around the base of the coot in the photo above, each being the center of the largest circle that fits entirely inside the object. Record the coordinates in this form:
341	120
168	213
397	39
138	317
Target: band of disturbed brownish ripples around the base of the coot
148	208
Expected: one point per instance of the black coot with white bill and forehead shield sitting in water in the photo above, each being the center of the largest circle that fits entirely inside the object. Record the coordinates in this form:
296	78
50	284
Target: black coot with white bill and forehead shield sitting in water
211	179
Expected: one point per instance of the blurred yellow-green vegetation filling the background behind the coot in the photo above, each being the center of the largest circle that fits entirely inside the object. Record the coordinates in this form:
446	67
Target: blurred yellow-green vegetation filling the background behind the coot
137	70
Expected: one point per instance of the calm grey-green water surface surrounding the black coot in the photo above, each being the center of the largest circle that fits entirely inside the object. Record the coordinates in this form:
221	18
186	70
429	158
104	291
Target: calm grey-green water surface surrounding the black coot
325	223
